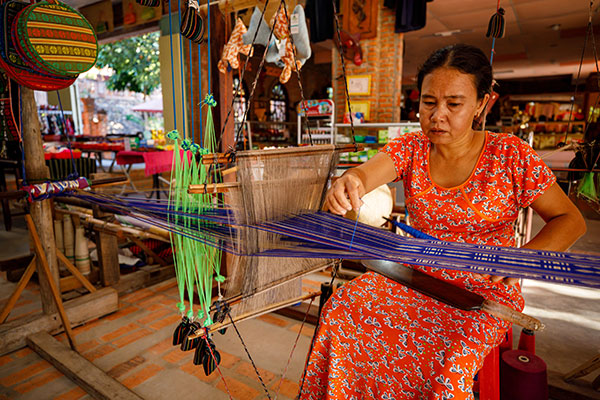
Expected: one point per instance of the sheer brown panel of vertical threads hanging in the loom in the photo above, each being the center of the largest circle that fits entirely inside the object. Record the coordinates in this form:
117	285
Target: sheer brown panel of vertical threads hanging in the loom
273	186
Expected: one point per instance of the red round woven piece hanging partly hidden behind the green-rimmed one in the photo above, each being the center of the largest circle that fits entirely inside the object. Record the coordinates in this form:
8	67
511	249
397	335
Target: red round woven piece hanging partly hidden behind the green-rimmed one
13	63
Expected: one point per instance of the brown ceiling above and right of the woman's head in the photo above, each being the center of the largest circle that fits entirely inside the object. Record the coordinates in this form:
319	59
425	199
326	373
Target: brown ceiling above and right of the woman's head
530	47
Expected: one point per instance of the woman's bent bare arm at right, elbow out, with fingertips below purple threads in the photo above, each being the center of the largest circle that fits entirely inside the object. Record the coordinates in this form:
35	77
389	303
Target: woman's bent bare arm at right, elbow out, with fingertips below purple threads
564	224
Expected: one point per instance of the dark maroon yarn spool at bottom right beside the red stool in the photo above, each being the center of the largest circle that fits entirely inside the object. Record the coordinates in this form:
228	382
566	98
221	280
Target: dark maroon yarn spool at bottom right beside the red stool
523	376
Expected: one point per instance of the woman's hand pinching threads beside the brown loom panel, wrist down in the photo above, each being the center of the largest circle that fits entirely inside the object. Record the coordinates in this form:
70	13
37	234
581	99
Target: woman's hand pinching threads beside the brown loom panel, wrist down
345	193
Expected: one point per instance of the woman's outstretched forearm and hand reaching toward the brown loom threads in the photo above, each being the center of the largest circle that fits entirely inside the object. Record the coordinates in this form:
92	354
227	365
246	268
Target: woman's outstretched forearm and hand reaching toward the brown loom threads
345	193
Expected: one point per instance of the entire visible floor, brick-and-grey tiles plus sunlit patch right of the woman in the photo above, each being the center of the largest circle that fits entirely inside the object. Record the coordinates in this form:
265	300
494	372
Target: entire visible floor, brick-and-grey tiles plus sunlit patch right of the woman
133	344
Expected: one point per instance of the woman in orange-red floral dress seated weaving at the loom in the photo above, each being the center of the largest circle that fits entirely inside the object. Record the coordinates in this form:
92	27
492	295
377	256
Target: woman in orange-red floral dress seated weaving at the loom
379	339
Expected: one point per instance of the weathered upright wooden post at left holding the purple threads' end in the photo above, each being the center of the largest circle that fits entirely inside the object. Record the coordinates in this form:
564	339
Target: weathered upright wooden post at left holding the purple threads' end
41	211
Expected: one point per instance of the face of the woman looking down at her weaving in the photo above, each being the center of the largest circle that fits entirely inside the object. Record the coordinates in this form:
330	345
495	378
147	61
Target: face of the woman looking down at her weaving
448	105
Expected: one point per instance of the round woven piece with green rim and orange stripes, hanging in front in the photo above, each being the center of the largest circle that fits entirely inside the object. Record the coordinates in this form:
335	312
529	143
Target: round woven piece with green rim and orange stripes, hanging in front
56	38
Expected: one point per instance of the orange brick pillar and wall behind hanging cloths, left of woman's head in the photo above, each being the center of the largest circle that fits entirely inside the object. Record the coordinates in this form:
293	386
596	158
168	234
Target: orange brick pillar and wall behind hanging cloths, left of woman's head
382	59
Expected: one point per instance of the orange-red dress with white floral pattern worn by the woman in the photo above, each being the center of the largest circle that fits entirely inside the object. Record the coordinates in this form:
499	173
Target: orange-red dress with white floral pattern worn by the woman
380	340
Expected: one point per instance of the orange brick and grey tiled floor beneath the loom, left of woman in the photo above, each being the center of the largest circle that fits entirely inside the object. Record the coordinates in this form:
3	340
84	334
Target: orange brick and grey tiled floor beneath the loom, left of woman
134	346
